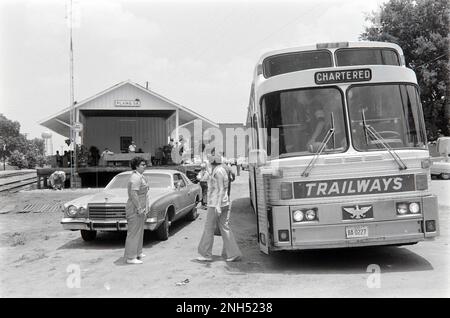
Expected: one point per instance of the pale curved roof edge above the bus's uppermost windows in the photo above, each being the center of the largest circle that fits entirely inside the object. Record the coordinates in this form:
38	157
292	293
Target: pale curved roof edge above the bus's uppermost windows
332	46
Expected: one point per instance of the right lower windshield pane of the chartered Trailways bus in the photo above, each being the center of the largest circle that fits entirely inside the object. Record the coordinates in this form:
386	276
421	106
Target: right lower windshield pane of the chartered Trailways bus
392	110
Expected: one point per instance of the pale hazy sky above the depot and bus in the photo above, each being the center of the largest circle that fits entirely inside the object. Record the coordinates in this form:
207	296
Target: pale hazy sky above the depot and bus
200	54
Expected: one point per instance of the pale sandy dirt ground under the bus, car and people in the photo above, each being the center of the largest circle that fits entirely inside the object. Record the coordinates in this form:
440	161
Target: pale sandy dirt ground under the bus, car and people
40	259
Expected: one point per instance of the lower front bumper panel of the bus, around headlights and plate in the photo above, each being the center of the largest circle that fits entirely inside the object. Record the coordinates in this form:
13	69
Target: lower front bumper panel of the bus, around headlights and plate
331	231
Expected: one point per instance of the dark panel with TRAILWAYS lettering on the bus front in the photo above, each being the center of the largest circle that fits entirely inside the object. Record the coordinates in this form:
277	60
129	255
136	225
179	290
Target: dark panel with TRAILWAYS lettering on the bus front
355	186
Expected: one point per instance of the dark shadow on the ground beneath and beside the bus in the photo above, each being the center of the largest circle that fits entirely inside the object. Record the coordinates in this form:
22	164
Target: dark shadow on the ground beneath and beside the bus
326	261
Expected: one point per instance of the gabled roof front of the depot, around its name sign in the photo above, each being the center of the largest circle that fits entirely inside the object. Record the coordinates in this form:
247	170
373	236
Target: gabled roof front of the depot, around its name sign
60	122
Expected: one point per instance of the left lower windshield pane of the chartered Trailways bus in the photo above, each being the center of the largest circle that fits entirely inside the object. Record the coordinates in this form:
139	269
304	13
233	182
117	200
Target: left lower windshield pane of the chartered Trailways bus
303	118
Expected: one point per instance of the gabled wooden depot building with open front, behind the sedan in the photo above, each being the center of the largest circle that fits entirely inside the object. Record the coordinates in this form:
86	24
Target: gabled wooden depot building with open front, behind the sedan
124	113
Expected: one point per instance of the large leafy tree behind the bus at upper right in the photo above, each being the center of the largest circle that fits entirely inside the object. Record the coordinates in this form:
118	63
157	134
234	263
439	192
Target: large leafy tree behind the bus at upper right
421	29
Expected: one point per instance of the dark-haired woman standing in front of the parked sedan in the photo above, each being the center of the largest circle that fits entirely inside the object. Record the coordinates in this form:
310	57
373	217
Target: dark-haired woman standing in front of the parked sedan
136	211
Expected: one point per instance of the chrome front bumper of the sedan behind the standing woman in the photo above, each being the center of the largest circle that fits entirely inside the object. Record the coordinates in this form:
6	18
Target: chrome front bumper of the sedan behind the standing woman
103	225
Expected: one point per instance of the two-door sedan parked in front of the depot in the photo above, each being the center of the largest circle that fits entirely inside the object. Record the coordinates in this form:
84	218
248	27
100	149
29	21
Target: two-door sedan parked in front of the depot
171	196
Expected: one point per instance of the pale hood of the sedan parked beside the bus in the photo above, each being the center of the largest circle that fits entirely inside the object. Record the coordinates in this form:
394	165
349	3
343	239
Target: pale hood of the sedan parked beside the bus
115	196
